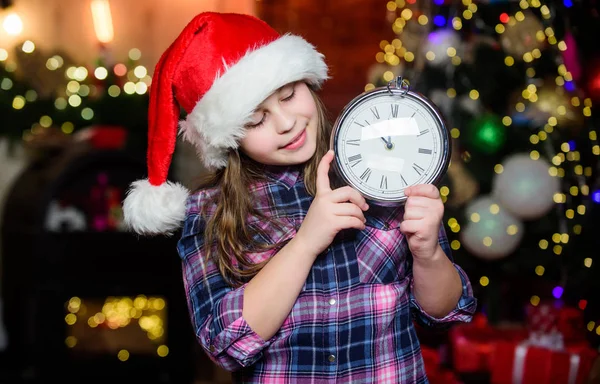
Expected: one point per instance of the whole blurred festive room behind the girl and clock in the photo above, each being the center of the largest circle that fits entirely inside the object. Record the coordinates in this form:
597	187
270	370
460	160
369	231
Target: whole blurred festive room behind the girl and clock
83	301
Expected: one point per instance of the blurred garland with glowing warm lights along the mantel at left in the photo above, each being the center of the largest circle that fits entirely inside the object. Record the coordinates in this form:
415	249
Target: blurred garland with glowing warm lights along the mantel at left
43	94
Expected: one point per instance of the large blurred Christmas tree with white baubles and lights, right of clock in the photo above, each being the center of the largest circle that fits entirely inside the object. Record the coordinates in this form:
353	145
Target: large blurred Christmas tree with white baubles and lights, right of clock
516	81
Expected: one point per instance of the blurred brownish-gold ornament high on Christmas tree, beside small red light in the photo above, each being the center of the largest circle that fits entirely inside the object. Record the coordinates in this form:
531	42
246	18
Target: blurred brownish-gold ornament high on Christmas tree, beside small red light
519	37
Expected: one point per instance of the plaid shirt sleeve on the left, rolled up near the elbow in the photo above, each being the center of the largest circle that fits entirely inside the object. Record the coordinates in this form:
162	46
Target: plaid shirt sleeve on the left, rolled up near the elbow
215	307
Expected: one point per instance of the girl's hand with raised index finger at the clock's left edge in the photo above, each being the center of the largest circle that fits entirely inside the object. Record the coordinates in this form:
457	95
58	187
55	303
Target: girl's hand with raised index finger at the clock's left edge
330	212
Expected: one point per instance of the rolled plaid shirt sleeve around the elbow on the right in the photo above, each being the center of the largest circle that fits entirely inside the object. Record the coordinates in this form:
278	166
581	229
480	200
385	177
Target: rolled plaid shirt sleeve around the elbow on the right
467	303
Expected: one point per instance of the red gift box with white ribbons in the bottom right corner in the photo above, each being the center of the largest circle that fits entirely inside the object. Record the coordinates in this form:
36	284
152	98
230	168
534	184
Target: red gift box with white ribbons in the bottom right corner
520	363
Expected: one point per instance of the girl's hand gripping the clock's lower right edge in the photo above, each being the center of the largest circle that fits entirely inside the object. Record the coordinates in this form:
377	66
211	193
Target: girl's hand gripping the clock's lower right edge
423	213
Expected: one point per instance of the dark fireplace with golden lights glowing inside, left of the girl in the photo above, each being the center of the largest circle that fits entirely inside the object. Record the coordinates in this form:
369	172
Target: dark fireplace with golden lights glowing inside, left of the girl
85	300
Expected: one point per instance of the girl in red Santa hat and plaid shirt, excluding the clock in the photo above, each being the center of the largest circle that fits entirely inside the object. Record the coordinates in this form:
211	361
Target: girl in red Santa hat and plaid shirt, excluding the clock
288	280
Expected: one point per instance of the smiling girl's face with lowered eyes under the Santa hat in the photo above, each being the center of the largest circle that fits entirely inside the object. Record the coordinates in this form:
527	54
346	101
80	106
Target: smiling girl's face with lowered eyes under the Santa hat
283	130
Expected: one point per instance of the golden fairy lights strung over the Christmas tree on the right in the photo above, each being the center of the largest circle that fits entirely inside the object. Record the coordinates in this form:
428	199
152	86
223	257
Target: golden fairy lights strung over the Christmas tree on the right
572	202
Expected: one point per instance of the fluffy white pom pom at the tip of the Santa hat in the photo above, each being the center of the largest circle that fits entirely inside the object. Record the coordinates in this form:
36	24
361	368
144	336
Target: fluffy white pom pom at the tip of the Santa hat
154	209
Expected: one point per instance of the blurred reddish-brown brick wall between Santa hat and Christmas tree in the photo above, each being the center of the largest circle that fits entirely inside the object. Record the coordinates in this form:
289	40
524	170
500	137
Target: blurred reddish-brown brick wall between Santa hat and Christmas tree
348	32
